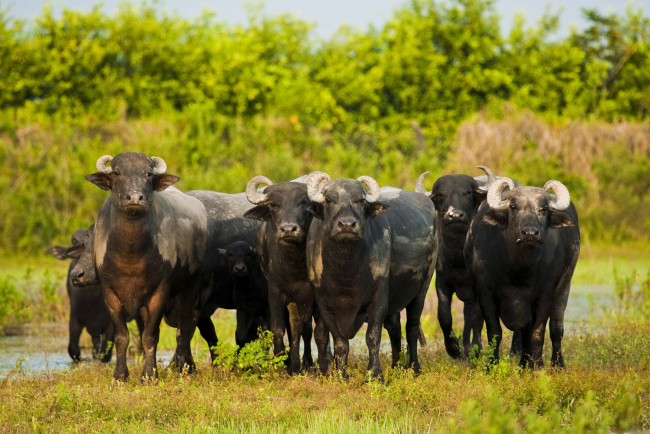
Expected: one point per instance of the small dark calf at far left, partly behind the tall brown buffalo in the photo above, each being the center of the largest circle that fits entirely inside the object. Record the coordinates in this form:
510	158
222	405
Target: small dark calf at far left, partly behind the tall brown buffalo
87	308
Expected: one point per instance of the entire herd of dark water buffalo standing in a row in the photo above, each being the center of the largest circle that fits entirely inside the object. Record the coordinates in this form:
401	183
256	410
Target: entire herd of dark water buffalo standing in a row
319	257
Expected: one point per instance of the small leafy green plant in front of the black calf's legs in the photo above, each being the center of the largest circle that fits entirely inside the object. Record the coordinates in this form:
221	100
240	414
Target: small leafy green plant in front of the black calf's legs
253	359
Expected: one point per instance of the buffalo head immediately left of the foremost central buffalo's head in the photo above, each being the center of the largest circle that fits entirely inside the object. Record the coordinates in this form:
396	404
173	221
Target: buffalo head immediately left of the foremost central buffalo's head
285	206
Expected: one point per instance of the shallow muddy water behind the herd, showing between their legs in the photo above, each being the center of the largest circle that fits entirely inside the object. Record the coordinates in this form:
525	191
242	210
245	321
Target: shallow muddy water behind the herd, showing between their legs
35	349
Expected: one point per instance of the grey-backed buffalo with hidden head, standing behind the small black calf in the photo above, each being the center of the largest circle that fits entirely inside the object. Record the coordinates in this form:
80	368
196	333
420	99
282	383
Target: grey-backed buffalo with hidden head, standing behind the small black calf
226	224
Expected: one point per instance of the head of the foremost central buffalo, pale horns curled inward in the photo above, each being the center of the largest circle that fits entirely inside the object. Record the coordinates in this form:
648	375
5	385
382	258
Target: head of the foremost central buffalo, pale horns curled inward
346	204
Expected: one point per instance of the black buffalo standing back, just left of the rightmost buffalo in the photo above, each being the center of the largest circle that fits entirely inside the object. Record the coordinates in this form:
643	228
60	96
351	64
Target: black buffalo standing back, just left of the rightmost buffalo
456	199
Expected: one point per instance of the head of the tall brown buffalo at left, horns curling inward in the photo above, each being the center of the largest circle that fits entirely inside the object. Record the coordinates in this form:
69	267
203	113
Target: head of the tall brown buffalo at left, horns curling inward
132	178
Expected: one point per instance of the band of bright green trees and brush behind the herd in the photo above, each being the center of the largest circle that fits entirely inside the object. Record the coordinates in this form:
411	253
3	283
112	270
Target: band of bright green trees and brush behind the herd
439	87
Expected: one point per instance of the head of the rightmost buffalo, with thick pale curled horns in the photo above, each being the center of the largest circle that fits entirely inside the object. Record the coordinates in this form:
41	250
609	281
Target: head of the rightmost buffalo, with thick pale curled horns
528	212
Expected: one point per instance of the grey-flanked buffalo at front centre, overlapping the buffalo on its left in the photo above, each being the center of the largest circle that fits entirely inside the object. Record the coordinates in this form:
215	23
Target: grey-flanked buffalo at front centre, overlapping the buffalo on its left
370	254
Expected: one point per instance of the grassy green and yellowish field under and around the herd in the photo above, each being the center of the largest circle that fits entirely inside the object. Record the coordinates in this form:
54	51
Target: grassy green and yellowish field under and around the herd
605	387
